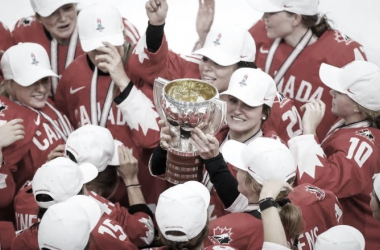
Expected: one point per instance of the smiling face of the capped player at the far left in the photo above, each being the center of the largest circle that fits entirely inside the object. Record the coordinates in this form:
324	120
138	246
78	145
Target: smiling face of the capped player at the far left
35	95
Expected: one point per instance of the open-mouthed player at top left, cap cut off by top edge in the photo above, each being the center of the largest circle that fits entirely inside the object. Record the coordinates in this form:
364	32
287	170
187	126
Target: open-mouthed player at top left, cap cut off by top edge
54	27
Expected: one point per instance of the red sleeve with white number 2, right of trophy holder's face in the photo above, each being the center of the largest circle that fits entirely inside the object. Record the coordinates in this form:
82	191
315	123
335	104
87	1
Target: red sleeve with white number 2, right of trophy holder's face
284	119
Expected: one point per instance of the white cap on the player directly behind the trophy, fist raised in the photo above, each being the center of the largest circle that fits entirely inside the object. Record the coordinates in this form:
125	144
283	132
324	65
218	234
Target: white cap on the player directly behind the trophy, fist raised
228	45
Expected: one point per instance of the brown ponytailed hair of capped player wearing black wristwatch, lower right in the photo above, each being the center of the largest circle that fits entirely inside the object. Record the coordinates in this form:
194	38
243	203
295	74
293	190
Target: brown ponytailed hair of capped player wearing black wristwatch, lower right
291	215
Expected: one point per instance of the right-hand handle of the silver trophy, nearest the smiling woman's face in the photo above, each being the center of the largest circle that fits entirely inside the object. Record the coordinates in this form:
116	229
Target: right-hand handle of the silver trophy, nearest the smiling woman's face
219	116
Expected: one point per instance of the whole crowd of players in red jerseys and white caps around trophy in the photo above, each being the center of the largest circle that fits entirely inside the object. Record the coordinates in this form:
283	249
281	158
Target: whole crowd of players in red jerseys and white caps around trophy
85	151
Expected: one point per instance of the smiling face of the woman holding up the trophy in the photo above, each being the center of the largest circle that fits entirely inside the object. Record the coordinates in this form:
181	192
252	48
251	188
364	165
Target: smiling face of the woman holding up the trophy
244	121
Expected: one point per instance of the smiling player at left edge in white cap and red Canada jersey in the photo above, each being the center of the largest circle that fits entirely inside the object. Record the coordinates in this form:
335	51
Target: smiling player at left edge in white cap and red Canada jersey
24	94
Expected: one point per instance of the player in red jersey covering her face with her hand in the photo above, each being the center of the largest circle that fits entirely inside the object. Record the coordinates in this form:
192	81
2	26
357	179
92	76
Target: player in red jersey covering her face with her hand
97	90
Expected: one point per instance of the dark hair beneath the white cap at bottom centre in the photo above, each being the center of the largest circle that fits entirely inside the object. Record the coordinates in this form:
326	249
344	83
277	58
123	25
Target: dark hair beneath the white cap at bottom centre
189	245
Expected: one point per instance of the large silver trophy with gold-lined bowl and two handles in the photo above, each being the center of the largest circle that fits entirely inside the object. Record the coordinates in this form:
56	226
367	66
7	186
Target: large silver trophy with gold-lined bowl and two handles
186	104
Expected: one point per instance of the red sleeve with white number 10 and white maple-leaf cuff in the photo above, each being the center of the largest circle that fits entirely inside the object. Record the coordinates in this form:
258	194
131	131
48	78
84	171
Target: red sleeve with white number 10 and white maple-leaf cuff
346	170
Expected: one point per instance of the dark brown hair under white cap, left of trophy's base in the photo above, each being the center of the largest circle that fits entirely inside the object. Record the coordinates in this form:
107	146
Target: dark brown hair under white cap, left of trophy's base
105	183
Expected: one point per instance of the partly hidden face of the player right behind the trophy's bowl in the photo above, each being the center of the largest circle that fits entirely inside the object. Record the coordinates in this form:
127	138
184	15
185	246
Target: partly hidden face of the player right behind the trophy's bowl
215	74
